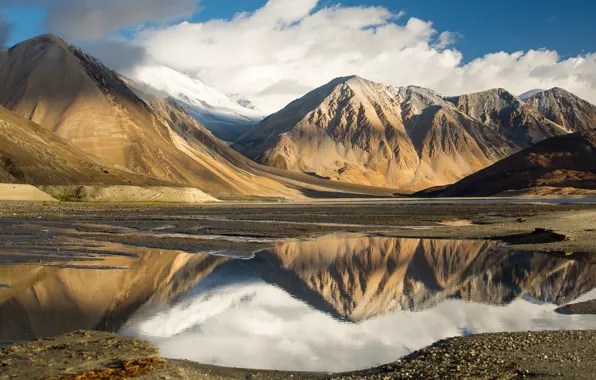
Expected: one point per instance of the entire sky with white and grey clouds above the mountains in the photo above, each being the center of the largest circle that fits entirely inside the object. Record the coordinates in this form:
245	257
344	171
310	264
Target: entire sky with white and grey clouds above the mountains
274	51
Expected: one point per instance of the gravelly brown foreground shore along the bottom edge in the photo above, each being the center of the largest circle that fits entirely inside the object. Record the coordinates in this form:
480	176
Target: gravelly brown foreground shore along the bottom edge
95	355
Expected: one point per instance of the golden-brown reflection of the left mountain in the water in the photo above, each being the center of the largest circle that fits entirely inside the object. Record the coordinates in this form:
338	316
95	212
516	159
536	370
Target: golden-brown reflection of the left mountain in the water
54	298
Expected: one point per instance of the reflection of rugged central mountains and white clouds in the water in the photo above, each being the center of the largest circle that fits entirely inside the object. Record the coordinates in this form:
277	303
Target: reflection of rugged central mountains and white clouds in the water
346	302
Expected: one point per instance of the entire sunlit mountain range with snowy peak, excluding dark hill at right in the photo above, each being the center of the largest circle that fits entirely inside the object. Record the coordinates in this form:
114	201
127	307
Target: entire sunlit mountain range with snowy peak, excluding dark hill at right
156	126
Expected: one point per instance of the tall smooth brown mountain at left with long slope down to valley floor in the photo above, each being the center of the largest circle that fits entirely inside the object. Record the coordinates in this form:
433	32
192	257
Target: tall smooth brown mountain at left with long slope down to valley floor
94	108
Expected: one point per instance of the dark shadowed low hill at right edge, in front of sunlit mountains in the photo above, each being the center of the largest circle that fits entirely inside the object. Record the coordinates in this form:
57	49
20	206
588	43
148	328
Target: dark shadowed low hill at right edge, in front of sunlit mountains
567	163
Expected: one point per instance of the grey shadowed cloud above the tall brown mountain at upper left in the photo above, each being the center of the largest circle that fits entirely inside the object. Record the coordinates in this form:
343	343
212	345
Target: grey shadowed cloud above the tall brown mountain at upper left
86	19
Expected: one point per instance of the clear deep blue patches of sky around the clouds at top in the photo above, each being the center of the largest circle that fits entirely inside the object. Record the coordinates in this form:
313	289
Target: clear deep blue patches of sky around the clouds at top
483	26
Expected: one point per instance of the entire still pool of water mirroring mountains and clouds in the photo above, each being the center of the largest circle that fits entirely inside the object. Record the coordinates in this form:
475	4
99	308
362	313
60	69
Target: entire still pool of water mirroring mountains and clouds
335	303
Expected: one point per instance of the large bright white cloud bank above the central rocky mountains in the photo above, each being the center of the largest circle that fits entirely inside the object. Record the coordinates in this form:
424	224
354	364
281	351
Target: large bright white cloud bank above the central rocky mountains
304	44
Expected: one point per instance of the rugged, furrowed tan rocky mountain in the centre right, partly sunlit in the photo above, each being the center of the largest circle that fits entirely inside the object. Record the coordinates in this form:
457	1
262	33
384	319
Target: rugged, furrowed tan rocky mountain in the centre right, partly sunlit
358	131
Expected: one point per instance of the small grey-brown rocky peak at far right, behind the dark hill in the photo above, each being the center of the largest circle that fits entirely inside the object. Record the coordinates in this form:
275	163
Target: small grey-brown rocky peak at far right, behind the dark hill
565	109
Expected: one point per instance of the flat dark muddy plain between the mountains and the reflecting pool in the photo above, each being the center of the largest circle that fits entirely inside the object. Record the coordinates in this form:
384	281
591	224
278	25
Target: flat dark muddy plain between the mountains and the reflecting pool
532	225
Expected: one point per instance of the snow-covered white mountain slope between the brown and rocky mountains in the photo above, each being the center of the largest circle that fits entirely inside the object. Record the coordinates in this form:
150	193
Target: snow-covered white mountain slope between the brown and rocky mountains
227	117
